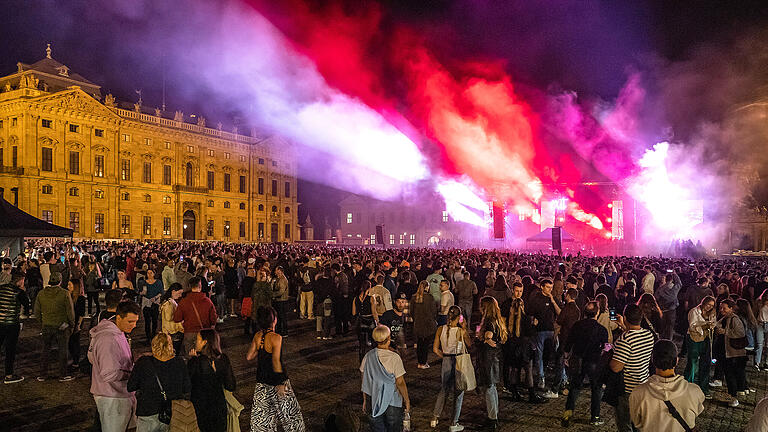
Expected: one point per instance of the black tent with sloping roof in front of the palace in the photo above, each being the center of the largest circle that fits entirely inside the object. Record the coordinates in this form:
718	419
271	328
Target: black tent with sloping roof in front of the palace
15	225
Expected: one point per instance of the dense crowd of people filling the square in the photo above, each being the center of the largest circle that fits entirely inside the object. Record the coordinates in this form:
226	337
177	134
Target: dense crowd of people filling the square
521	326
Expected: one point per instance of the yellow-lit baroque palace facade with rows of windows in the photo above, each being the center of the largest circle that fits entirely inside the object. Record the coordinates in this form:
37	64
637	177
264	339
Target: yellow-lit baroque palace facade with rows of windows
114	173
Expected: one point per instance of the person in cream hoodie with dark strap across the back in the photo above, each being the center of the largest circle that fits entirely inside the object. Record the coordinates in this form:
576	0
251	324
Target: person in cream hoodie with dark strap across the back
666	402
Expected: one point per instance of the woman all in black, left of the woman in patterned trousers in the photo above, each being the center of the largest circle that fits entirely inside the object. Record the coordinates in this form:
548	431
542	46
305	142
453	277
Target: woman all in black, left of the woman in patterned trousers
210	373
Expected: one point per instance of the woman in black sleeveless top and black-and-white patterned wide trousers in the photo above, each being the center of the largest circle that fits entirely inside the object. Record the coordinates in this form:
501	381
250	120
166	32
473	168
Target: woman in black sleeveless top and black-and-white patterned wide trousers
273	398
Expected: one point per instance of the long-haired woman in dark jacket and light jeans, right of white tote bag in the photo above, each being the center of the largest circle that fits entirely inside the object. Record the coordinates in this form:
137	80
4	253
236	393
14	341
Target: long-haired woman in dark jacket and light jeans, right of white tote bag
492	334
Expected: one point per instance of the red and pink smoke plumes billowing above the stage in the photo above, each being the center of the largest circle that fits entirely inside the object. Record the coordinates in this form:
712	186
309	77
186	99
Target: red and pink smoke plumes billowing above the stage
465	115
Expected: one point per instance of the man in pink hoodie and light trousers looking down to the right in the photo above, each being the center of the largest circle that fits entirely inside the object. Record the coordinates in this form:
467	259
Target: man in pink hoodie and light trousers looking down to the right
110	355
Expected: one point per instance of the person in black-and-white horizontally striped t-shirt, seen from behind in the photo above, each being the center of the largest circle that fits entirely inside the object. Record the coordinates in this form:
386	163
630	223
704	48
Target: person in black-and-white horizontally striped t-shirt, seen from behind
632	356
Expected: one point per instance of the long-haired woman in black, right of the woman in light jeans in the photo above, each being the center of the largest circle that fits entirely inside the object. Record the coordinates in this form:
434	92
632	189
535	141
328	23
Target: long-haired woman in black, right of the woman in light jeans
518	352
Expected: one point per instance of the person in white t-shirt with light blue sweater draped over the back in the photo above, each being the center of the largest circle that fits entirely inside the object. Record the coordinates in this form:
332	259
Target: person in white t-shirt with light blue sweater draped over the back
385	395
